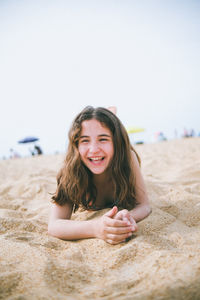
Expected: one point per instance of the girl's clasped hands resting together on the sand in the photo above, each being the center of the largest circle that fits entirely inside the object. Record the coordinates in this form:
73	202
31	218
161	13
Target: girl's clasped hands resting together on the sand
113	230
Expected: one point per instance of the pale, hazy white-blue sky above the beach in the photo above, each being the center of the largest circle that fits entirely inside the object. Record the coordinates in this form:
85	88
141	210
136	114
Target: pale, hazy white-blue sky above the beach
56	57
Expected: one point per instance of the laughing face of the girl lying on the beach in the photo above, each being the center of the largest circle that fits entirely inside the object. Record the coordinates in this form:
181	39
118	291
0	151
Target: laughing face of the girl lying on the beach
95	146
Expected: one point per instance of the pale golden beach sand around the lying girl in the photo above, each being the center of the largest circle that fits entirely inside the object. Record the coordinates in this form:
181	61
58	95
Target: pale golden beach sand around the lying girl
162	261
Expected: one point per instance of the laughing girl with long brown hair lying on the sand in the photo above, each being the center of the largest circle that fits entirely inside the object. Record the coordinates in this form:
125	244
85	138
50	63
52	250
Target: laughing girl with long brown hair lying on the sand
101	170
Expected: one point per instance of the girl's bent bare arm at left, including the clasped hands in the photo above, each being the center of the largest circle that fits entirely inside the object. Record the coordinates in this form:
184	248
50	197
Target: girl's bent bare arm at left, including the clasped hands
106	228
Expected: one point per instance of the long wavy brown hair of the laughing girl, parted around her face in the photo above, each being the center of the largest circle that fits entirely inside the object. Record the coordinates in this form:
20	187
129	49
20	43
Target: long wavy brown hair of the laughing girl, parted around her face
74	181
